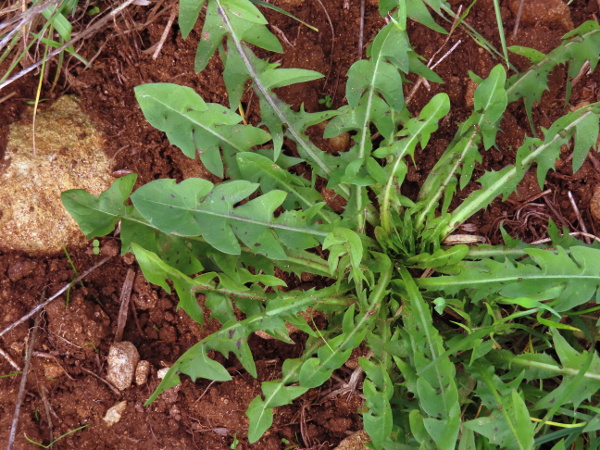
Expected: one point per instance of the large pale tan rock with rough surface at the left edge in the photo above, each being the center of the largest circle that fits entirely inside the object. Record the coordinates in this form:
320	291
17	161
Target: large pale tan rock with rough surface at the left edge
68	155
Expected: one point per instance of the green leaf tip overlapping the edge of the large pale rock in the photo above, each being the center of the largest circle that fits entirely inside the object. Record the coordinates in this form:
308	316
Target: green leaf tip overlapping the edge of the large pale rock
97	216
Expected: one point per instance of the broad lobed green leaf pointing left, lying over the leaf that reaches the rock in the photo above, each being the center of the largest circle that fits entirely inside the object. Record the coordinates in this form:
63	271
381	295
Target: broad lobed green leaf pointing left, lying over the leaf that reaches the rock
191	208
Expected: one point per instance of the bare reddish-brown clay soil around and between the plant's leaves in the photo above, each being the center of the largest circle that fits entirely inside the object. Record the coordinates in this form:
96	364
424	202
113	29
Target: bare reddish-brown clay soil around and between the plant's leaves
64	389
